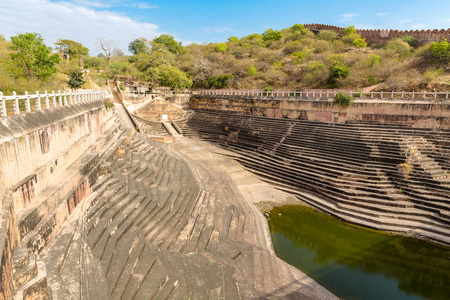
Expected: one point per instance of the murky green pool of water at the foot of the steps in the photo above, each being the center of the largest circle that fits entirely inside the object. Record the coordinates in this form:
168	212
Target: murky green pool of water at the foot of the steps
356	263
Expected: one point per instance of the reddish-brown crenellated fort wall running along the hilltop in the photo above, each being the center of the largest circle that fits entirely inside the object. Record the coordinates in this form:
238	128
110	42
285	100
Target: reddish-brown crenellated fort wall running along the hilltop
380	36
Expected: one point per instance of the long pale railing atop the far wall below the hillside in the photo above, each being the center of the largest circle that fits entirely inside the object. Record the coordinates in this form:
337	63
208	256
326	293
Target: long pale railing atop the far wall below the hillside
325	94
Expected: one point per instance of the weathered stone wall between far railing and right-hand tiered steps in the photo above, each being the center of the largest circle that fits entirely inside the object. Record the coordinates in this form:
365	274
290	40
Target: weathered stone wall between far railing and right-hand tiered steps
415	113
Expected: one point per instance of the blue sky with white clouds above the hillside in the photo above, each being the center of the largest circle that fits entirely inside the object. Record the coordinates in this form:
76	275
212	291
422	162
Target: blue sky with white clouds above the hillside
206	21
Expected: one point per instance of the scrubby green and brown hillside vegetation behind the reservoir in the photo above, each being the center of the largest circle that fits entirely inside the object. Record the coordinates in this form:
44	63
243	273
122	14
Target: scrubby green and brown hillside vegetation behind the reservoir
293	58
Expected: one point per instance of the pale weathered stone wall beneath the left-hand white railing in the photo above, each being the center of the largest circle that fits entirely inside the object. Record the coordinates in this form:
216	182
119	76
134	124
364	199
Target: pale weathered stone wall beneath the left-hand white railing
36	149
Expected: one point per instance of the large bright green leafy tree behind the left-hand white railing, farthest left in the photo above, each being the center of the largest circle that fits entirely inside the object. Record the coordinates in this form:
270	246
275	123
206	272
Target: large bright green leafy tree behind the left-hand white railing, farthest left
33	56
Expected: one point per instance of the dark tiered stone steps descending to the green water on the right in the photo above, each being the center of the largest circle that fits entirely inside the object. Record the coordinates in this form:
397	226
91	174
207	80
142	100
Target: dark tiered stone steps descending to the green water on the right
356	170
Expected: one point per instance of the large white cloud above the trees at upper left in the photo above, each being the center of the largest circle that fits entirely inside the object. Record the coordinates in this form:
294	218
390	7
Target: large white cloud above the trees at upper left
65	20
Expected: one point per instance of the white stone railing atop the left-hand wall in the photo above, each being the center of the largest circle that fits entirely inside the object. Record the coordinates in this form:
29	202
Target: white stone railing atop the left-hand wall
17	104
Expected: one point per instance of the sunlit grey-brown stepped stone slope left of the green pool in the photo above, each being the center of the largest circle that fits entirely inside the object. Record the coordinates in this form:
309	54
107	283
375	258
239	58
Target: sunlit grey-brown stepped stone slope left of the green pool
159	226
